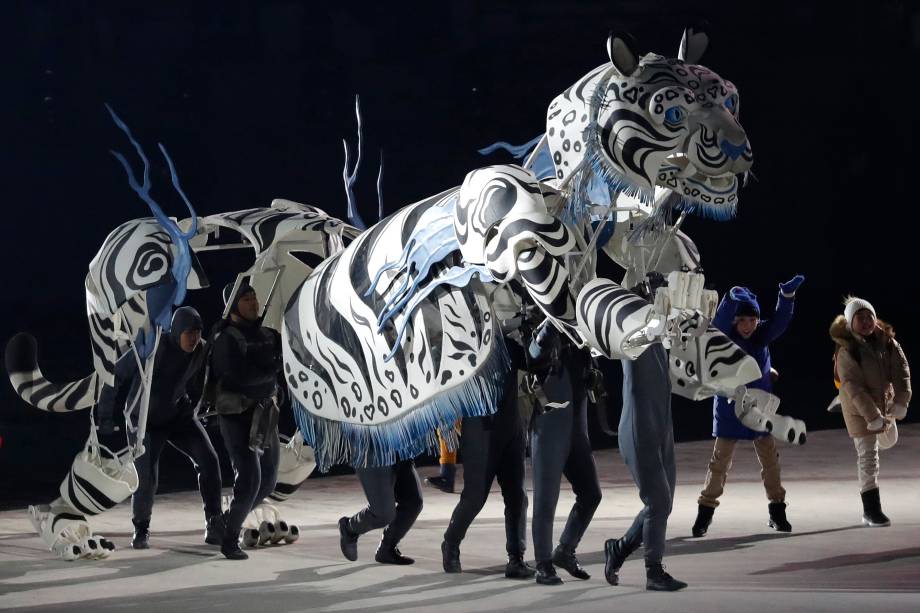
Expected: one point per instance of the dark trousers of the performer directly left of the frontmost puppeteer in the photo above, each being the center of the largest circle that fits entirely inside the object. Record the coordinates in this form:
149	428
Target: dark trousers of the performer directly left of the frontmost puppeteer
560	446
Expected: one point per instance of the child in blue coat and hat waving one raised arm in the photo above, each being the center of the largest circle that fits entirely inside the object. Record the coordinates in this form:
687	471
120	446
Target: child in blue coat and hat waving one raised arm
738	317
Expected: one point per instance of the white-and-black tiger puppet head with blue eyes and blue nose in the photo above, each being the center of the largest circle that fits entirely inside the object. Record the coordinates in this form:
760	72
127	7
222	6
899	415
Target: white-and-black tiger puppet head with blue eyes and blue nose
642	123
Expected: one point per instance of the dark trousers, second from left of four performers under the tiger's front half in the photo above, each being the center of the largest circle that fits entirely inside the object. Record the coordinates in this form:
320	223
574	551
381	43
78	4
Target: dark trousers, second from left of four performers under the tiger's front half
492	447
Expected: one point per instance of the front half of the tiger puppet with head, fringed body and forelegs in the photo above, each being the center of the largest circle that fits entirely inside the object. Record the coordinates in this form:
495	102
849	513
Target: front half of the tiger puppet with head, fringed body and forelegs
395	336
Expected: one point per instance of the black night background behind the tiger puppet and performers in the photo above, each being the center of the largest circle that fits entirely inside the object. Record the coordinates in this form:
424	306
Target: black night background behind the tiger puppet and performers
252	100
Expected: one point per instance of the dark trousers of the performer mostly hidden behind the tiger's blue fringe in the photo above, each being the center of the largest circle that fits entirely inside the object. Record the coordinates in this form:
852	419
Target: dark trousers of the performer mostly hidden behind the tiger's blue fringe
394	501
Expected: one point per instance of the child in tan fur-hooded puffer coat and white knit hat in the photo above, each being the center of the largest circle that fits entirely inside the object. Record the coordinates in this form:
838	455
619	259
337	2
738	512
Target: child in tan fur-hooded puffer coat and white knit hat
874	380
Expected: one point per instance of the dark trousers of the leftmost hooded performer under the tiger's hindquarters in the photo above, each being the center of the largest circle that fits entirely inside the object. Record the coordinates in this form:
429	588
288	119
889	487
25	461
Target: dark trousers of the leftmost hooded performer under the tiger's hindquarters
188	436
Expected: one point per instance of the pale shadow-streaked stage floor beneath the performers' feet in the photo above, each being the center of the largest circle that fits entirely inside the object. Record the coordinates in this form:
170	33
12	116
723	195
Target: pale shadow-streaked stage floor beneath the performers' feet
828	563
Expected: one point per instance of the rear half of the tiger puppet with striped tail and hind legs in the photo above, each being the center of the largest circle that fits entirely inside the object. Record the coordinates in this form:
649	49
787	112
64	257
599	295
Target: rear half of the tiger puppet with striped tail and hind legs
138	275
